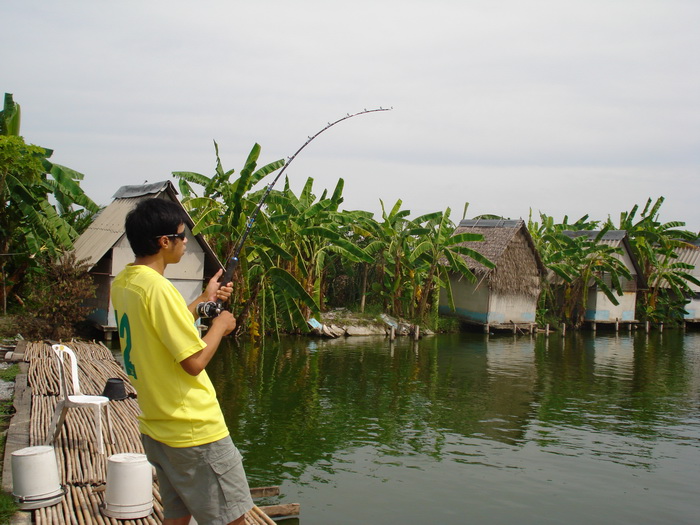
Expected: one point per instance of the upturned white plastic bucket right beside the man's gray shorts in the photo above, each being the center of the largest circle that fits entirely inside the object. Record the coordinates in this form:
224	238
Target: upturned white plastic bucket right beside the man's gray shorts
129	491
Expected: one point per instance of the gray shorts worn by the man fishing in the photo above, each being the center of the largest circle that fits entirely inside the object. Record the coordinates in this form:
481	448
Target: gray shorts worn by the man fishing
207	481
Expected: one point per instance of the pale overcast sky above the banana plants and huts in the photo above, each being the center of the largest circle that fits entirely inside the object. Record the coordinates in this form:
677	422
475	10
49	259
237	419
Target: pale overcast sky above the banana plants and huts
561	107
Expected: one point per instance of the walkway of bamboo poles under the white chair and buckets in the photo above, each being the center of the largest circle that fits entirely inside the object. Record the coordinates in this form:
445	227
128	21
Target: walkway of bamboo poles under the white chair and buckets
82	470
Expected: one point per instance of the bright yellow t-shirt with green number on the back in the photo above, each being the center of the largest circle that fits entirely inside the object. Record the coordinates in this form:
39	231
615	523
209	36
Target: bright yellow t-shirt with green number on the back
156	332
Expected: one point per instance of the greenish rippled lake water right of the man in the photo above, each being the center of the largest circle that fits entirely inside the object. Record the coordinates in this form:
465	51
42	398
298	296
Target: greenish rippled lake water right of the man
469	429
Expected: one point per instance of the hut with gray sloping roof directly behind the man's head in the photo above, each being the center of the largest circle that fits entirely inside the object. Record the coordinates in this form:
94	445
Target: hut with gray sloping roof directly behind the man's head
105	246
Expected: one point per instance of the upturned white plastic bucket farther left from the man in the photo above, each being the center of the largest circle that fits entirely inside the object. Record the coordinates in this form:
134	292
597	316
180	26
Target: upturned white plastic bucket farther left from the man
35	481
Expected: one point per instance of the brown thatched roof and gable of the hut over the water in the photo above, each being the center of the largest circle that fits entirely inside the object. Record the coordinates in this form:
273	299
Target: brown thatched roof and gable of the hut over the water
508	244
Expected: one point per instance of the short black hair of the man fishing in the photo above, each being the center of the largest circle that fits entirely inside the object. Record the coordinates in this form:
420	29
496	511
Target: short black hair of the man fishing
150	219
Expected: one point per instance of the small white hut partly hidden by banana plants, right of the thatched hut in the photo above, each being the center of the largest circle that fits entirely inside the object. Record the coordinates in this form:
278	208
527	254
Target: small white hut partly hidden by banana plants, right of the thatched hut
599	308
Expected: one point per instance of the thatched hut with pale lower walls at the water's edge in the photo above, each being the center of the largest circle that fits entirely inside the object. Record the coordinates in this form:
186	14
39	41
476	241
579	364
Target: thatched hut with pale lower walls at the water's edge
503	297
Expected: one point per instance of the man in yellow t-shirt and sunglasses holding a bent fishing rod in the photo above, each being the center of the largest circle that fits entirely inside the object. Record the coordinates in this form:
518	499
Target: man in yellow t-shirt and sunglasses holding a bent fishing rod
184	434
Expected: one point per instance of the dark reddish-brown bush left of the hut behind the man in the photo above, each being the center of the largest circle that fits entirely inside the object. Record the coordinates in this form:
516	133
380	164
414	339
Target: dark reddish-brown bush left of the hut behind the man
56	301
